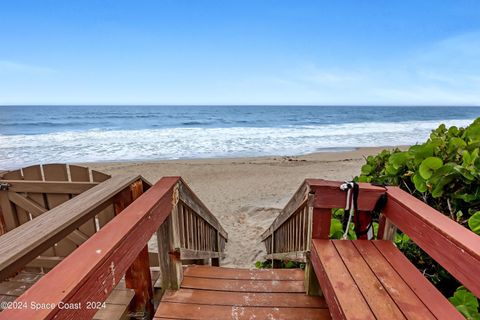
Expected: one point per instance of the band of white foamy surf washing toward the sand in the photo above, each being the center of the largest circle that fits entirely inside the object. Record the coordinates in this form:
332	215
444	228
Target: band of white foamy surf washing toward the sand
93	145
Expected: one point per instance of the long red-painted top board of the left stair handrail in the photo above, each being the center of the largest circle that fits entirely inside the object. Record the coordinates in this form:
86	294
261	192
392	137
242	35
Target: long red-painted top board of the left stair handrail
100	262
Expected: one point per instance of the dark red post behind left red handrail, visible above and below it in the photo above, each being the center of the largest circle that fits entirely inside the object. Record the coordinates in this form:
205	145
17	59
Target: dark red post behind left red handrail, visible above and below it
138	275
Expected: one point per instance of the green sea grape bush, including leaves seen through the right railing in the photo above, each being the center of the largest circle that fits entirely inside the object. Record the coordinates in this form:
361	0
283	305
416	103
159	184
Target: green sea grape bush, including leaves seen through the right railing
444	172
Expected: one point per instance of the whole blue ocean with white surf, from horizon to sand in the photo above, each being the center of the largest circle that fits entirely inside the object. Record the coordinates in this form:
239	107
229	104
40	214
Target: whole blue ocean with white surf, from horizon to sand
46	134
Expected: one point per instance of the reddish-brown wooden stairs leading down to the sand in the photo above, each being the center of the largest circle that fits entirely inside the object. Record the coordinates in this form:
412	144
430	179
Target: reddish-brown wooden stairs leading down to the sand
227	293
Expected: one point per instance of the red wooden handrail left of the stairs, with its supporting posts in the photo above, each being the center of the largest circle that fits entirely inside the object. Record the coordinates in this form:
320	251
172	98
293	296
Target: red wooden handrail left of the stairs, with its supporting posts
92	271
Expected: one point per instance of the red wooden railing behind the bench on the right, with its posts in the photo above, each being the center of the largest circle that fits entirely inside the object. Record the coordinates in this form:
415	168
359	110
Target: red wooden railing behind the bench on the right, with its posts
454	247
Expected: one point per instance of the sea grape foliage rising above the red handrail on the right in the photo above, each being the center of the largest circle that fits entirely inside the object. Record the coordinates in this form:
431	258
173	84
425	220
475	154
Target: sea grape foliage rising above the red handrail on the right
443	172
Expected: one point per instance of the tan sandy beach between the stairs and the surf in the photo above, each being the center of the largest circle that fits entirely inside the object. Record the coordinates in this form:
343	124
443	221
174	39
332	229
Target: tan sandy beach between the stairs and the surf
246	194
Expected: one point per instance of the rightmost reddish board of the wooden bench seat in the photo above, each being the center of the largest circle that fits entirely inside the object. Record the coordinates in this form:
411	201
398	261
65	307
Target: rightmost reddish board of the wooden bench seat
425	291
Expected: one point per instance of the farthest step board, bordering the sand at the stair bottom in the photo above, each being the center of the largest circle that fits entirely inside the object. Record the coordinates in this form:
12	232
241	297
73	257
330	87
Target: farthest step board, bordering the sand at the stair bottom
244	274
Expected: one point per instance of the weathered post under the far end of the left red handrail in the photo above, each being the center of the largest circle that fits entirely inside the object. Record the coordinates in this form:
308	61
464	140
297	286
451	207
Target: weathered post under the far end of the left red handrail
168	239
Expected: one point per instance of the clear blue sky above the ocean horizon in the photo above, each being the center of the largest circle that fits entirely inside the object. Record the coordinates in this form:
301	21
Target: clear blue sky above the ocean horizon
240	52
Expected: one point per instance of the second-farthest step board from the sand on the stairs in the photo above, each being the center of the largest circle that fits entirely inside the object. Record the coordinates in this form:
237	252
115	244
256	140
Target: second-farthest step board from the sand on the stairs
242	285
